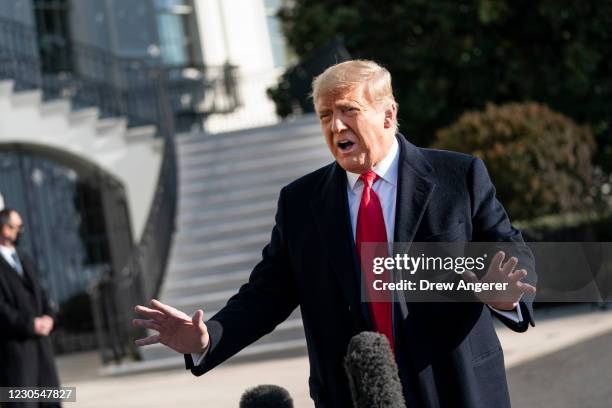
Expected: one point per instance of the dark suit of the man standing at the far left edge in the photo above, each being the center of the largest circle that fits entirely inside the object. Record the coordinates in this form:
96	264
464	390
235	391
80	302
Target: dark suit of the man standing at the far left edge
26	359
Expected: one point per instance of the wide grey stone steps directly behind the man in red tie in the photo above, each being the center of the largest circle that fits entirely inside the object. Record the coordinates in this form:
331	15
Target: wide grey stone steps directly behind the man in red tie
229	185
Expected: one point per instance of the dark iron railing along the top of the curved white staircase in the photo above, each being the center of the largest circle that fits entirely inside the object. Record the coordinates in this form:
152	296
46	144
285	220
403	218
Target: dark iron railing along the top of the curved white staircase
91	76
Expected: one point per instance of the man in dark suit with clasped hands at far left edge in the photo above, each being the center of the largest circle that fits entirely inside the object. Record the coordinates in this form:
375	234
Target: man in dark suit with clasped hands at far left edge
26	357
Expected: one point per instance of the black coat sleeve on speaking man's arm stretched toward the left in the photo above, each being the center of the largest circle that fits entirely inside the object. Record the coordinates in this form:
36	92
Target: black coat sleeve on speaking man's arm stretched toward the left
262	303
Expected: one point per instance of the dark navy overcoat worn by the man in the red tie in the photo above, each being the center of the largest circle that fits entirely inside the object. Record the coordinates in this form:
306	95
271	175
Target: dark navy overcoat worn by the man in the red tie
448	353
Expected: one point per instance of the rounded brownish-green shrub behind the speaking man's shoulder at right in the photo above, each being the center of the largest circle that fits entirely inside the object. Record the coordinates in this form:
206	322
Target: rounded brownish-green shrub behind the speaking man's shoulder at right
539	160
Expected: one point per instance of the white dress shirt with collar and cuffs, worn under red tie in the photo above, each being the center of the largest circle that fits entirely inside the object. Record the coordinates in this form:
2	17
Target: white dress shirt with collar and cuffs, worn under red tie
386	190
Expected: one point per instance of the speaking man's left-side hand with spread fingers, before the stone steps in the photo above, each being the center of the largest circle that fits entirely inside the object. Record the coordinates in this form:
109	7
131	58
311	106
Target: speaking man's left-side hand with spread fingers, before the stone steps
176	329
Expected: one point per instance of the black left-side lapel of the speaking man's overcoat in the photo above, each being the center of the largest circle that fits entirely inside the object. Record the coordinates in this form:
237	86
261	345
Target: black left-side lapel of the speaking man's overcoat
332	215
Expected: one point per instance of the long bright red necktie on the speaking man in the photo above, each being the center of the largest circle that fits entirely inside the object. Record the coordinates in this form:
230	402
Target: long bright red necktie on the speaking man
371	229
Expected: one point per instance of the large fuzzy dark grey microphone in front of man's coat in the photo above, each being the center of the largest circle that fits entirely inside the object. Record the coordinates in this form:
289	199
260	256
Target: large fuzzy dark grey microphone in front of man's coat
372	372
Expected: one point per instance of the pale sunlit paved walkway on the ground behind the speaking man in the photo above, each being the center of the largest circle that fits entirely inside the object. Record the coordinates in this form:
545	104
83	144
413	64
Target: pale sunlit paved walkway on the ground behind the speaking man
556	330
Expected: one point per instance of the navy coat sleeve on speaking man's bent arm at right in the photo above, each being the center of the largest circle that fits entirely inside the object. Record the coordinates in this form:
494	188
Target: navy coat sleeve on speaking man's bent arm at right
491	224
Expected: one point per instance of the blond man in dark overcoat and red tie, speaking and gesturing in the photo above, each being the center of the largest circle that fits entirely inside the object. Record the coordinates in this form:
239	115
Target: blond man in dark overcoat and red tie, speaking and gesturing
381	188
